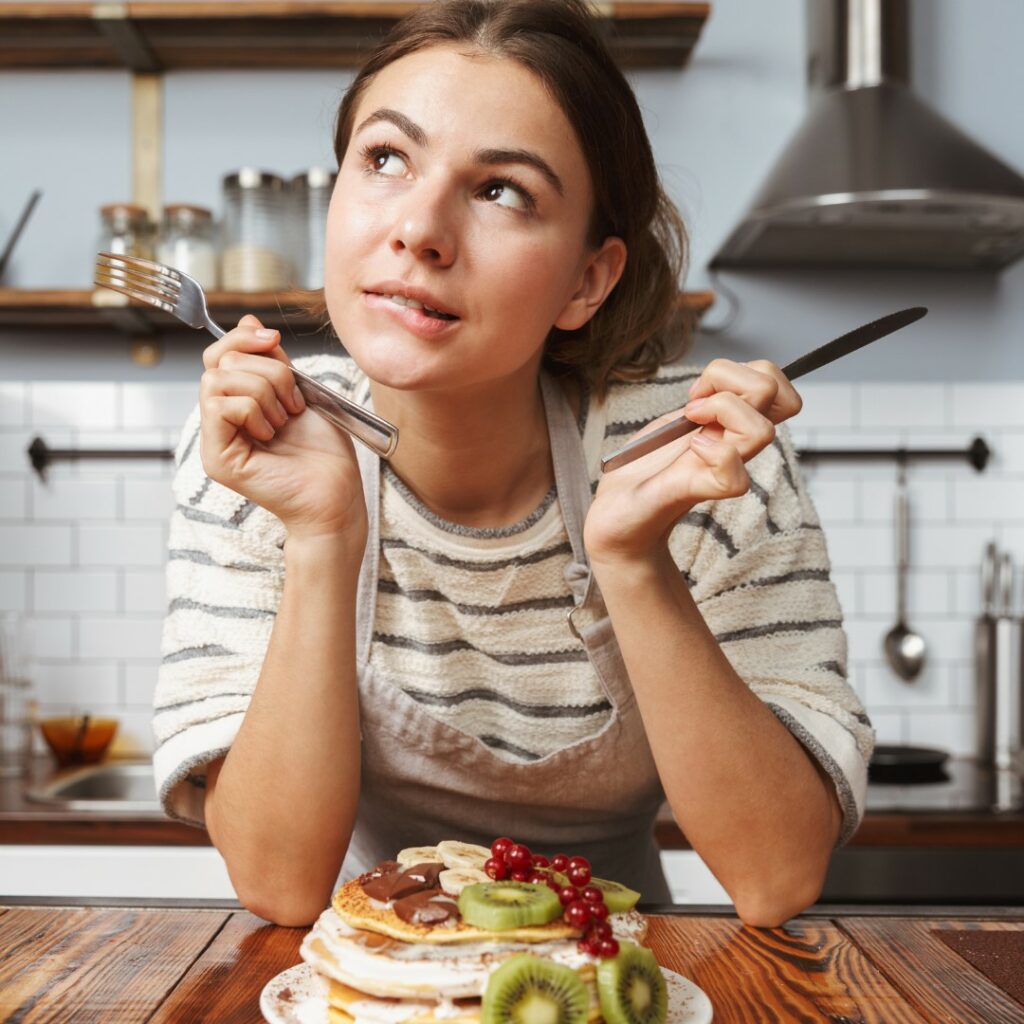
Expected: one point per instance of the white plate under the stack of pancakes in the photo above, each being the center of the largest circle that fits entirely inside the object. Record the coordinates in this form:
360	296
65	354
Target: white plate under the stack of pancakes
306	1002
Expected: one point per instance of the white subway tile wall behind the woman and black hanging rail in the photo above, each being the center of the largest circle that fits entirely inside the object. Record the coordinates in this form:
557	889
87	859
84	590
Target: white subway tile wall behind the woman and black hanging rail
82	553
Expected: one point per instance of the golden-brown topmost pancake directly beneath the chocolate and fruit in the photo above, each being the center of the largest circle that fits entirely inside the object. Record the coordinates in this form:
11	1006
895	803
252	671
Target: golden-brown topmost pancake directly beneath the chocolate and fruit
359	911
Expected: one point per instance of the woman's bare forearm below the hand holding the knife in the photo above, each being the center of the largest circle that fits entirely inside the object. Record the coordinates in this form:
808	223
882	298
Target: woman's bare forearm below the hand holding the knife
751	801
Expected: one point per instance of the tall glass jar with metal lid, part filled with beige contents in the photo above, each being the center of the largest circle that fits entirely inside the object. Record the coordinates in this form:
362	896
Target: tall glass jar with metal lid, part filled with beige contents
255	231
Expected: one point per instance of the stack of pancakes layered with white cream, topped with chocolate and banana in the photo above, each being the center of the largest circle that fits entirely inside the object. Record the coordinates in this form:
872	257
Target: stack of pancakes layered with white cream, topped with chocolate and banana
394	949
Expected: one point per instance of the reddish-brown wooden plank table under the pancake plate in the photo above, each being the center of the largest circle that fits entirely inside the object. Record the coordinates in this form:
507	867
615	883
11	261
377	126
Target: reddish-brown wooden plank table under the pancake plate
118	965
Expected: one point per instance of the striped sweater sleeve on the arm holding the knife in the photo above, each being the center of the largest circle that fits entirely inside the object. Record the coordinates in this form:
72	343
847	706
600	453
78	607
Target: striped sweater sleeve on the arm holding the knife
758	569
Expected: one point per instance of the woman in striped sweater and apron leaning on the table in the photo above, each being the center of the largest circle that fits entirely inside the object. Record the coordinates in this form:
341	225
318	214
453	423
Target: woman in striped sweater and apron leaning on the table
464	645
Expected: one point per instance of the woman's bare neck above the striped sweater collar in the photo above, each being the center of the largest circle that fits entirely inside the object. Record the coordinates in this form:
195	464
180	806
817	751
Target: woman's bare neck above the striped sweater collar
481	457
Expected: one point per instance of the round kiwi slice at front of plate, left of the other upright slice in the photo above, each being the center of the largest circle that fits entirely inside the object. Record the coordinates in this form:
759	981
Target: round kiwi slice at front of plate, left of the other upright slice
529	990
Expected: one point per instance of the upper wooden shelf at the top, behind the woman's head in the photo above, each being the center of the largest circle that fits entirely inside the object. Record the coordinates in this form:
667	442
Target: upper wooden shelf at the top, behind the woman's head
159	36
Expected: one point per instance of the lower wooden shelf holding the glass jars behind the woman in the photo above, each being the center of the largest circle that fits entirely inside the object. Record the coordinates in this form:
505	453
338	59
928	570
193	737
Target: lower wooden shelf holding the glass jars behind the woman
40	309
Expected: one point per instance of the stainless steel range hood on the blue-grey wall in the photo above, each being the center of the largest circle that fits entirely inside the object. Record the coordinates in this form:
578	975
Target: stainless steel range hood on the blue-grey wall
874	177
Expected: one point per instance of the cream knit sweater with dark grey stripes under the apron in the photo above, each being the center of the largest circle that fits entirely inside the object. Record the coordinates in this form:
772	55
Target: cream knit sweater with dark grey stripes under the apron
472	623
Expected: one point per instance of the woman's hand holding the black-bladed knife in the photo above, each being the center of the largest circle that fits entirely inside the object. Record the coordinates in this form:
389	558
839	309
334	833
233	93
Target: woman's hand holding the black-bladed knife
636	506
